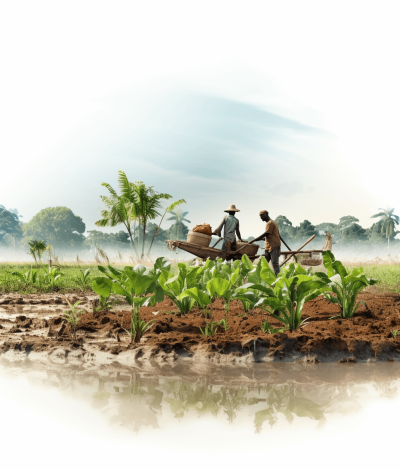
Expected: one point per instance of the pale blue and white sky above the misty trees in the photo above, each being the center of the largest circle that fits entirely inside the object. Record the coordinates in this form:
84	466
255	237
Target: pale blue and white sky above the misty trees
286	106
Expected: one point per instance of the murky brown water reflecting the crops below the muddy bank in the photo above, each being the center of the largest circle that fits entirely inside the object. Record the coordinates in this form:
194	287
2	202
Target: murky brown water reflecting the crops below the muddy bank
135	399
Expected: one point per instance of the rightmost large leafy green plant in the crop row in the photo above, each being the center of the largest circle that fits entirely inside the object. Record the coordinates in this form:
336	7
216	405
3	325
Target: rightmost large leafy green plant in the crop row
346	284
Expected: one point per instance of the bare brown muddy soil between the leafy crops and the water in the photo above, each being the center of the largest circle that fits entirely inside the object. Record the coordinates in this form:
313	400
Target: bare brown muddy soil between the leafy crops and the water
34	325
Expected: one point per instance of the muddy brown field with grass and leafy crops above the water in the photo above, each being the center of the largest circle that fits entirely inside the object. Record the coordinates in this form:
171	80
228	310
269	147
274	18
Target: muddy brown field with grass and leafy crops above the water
36	308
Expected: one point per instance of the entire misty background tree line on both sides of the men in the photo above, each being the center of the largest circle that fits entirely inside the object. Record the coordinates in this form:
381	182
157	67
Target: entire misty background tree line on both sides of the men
136	206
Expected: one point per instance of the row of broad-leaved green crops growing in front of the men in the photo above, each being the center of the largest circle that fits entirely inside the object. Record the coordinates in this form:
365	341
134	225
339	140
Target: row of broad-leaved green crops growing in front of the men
283	297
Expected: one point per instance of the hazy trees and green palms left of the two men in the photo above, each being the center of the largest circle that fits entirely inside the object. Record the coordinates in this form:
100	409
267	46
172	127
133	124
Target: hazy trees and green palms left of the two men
134	207
